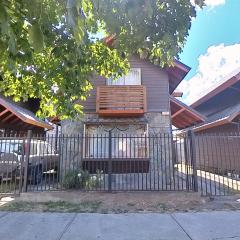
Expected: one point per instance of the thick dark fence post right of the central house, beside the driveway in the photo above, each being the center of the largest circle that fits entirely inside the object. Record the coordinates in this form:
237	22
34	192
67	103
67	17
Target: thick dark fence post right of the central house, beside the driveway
192	146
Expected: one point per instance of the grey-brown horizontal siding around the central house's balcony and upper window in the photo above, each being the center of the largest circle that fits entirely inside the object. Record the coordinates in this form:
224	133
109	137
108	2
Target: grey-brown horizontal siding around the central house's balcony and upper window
155	80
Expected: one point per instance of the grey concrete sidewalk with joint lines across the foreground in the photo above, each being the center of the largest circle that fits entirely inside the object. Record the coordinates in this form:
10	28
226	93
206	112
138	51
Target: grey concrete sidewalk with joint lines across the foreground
69	226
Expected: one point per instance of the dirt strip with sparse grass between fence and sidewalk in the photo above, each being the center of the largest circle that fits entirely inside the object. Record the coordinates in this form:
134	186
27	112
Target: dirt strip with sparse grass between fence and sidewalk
120	202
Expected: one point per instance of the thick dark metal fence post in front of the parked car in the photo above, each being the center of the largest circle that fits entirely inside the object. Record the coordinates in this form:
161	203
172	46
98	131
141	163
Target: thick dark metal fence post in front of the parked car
25	162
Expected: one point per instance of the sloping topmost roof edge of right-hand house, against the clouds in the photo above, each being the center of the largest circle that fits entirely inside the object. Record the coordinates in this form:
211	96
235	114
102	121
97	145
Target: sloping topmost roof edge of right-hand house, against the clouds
225	83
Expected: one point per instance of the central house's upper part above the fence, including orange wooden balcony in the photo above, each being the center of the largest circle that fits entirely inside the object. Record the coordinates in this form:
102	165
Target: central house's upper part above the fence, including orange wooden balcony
141	100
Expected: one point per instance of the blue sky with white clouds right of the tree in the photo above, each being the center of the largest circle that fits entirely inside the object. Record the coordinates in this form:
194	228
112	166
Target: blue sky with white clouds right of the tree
212	49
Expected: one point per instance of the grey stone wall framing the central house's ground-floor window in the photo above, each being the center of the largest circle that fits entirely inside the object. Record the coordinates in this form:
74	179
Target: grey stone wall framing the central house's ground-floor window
160	150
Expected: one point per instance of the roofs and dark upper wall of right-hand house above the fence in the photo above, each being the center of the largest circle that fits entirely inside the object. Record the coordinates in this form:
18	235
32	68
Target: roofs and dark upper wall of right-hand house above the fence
221	106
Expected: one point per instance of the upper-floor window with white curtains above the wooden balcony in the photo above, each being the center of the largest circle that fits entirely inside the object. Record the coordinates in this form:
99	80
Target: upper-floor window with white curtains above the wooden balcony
132	78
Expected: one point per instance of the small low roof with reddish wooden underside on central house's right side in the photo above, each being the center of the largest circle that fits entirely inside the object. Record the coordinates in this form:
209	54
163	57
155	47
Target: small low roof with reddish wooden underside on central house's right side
184	116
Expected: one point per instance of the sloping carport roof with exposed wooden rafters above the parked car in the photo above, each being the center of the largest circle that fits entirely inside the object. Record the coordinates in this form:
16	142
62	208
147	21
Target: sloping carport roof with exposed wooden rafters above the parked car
12	115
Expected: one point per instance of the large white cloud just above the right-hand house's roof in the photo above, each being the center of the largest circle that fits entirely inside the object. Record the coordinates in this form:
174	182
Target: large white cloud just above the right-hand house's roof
218	62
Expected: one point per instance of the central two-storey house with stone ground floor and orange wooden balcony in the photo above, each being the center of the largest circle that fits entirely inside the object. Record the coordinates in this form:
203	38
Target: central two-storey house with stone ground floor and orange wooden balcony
121	117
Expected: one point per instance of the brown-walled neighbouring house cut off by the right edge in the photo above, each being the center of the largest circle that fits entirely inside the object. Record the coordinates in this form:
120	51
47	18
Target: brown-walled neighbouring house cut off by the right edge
218	137
